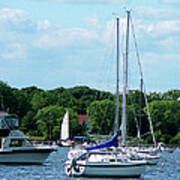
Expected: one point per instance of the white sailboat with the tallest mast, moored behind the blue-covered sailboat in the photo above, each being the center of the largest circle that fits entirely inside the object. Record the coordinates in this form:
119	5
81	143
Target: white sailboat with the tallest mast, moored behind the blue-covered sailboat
136	153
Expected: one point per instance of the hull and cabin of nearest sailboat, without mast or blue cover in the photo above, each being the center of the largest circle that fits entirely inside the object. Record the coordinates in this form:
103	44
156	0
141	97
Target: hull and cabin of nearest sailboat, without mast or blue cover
104	164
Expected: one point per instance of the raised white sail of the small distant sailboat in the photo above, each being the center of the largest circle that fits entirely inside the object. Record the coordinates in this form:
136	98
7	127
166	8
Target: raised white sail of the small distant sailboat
65	127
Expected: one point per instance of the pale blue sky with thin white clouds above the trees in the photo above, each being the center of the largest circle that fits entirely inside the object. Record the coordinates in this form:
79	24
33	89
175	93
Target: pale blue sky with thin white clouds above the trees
68	43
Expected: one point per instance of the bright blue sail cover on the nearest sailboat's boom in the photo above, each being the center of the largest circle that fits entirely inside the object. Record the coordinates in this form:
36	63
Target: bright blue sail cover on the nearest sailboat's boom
110	143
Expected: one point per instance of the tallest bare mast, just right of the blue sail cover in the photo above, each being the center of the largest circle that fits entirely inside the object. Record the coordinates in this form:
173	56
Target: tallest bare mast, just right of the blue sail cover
125	83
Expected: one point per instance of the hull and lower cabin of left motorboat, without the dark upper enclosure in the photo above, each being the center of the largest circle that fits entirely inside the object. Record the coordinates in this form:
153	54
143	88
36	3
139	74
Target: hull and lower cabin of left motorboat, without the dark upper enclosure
16	148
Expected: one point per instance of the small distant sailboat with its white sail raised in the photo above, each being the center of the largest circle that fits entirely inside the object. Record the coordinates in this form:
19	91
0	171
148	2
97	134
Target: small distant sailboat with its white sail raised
64	134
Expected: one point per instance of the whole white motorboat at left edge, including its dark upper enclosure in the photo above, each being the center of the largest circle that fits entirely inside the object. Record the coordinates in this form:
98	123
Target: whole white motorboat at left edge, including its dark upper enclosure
15	147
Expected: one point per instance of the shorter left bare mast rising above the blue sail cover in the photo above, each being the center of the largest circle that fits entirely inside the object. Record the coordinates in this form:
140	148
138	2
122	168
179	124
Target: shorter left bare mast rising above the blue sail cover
117	81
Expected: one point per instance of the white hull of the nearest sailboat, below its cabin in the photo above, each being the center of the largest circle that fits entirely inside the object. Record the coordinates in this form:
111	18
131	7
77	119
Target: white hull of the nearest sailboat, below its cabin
106	169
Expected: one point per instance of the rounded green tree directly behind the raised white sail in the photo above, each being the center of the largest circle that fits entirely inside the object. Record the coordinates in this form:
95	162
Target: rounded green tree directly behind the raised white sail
49	121
